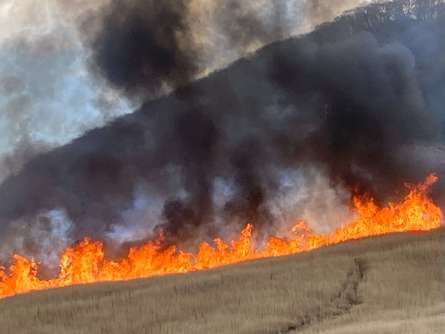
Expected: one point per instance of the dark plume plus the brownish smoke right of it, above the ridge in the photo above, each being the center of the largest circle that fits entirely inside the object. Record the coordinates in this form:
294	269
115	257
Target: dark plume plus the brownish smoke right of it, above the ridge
150	47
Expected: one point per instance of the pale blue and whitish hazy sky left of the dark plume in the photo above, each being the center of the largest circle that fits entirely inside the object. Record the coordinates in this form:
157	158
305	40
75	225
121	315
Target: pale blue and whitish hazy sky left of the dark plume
47	96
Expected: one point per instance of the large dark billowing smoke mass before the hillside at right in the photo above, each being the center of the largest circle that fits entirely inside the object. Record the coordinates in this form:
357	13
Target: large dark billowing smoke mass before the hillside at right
368	103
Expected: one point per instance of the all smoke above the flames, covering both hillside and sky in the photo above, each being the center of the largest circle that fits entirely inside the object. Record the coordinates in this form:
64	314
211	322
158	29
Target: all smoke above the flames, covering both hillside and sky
288	132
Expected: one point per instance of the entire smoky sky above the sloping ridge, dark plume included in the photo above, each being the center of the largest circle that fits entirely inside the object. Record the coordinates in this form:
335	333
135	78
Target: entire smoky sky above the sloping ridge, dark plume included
50	94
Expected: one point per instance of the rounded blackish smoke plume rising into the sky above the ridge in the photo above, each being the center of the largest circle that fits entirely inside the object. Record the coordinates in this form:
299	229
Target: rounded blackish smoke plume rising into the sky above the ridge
145	44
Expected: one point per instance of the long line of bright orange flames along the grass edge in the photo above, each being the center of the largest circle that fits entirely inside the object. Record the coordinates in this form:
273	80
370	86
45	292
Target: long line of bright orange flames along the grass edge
86	263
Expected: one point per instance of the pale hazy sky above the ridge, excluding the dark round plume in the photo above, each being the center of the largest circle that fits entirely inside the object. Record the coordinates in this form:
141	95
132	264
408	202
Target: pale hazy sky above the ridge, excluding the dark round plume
48	93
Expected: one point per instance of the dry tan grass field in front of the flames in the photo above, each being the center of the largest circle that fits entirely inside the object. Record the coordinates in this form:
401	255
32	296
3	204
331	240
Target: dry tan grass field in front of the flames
393	284
